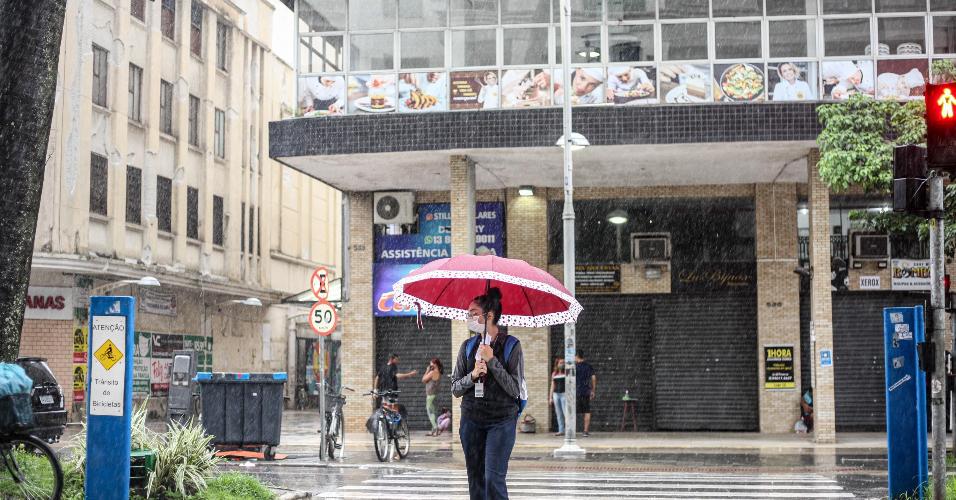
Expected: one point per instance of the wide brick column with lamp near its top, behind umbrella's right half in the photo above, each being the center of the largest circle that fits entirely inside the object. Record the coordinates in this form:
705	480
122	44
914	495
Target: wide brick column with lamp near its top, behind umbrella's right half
527	223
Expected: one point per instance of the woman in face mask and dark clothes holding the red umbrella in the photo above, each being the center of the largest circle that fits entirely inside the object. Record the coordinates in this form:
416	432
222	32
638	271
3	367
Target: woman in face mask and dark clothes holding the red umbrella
490	388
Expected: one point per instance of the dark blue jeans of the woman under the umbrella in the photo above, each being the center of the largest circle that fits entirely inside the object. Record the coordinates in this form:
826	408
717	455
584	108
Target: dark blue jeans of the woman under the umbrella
487	450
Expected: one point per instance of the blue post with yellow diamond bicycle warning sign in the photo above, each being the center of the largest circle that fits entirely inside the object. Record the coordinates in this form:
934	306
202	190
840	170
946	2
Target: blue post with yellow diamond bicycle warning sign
109	390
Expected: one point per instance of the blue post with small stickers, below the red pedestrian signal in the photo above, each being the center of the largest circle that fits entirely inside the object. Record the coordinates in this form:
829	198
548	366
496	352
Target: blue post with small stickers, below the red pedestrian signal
903	328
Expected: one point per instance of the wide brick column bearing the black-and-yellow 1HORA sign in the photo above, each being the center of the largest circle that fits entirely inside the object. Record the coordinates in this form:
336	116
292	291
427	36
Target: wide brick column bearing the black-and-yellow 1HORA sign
778	299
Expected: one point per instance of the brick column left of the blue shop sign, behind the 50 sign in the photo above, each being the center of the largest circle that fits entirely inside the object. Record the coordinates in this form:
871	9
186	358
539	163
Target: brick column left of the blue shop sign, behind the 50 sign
358	339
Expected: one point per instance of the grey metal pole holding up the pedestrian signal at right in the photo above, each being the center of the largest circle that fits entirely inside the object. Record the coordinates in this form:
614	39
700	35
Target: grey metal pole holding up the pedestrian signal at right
938	308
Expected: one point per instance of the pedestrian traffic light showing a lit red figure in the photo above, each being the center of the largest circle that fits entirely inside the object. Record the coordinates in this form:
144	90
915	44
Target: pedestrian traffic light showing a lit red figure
941	127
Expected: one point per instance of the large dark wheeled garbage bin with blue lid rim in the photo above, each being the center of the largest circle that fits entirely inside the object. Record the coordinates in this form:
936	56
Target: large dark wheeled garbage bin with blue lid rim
242	410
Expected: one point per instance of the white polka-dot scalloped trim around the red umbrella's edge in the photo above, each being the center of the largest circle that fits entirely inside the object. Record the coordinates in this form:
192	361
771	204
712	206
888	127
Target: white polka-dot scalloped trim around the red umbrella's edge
428	309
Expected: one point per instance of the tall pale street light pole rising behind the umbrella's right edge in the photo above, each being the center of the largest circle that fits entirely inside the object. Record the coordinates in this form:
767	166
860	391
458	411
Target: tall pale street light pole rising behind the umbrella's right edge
568	141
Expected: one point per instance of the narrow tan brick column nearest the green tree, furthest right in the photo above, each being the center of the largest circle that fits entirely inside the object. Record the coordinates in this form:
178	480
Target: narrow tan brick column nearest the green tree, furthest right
821	314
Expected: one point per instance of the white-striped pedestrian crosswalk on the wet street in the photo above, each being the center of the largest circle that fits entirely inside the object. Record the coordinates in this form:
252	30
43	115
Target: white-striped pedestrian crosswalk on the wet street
448	484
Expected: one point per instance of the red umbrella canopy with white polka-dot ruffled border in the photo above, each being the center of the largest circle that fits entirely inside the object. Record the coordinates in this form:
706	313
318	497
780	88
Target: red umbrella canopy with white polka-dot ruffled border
530	297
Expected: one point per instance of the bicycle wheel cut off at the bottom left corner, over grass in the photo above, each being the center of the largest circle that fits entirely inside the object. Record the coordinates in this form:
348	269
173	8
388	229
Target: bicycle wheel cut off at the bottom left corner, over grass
31	469
